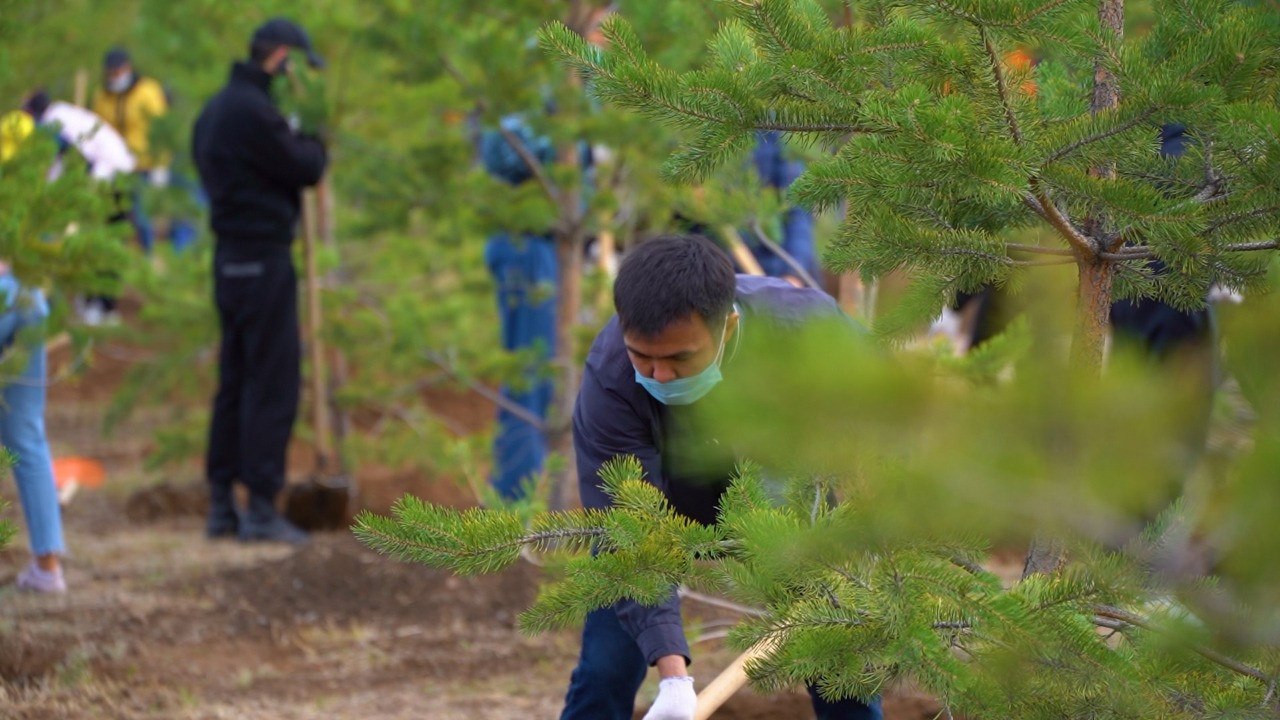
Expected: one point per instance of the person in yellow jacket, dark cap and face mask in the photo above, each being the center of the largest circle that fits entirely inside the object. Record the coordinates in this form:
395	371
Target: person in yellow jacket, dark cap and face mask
130	102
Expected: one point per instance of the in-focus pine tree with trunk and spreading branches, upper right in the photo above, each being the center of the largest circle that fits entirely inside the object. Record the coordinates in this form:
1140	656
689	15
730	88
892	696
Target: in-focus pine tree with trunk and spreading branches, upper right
945	149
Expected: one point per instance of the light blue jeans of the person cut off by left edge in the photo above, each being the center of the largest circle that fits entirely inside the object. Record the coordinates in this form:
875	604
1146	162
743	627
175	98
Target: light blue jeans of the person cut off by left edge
22	431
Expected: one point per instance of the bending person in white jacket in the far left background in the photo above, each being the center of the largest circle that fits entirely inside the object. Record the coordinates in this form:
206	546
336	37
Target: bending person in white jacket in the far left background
102	147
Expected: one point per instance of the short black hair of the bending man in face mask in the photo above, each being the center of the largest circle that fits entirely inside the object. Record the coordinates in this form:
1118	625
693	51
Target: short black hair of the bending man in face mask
668	279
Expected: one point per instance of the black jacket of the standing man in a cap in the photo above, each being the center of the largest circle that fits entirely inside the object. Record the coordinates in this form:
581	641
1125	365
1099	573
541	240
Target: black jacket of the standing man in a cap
252	165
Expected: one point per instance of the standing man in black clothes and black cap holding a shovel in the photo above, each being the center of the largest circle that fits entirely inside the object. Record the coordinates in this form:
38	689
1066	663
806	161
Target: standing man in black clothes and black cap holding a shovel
254	167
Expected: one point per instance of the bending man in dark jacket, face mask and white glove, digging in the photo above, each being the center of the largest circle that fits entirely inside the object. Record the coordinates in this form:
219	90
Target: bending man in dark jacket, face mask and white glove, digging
682	318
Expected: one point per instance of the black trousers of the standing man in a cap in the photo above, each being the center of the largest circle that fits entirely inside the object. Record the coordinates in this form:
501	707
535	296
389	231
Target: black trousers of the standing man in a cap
259	373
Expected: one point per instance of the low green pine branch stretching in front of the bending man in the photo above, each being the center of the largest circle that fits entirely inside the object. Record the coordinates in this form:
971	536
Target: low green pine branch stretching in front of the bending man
844	612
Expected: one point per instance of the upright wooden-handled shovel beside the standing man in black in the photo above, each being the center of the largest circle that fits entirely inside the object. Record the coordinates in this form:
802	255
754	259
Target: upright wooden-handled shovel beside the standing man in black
322	502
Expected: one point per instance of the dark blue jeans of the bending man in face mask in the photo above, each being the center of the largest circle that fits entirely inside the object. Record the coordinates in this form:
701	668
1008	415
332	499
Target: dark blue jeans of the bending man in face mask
611	669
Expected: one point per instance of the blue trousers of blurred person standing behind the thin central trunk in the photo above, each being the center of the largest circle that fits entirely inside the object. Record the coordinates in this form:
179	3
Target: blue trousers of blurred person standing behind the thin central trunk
525	271
